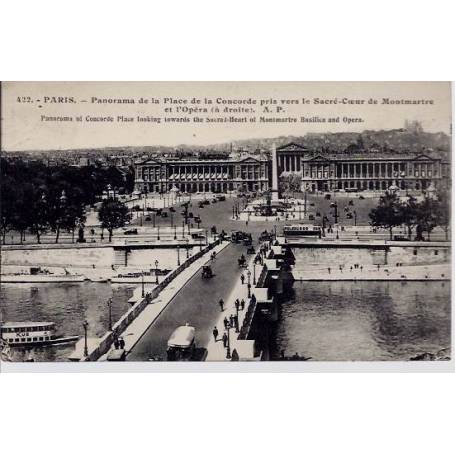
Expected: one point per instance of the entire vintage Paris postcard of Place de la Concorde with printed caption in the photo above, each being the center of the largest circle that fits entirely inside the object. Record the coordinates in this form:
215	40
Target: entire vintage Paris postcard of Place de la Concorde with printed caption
226	221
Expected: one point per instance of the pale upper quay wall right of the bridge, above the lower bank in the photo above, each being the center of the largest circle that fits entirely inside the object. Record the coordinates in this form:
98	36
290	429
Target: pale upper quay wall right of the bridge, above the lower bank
312	256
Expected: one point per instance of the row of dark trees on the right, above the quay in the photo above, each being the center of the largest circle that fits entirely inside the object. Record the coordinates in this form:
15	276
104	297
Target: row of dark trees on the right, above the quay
423	216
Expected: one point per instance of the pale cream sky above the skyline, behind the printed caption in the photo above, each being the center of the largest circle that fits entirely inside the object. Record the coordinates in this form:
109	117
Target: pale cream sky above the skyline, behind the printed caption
25	103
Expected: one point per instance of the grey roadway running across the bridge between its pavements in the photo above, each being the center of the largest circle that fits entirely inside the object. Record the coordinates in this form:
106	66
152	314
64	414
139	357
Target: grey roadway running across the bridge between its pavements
196	303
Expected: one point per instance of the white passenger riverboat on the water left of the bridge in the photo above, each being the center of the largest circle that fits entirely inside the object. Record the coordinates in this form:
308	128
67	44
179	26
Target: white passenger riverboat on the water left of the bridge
23	334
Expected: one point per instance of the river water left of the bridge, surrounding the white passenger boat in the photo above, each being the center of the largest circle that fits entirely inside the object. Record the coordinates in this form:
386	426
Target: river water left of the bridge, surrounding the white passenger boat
66	304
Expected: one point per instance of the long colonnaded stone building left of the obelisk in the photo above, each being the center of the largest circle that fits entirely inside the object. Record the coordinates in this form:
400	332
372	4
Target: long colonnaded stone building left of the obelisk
190	175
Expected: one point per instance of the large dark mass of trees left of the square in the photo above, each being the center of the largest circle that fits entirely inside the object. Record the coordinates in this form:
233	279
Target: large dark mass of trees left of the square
36	198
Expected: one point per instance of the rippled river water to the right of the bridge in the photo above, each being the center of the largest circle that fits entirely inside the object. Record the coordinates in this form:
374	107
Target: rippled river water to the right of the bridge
364	320
